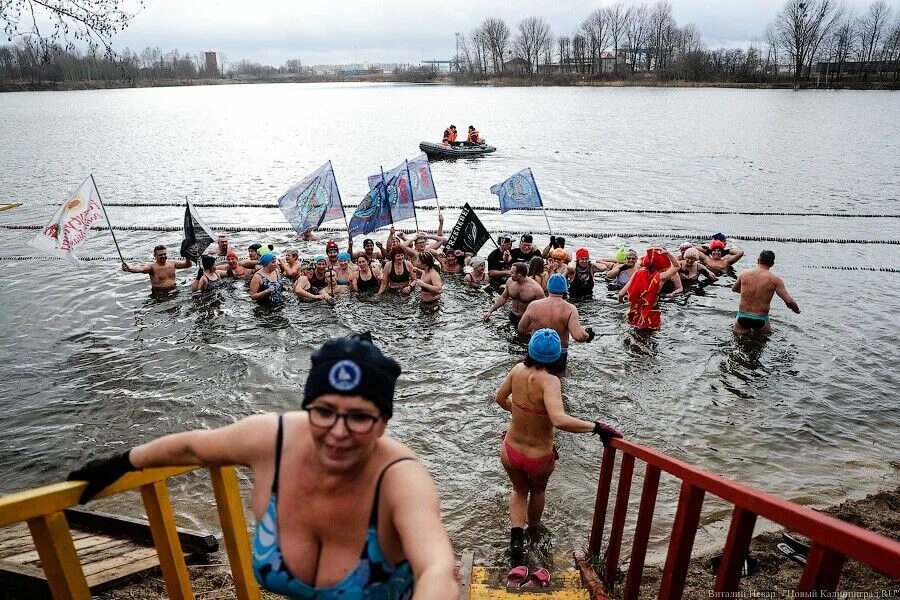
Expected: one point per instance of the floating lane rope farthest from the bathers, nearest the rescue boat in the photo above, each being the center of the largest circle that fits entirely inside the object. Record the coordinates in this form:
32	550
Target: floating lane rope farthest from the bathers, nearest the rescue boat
549	208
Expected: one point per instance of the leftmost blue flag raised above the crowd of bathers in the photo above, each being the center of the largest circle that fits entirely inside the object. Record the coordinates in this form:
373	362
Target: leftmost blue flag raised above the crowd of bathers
313	201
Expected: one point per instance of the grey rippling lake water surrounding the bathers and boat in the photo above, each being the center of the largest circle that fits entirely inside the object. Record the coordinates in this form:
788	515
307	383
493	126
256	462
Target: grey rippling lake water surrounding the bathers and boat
89	364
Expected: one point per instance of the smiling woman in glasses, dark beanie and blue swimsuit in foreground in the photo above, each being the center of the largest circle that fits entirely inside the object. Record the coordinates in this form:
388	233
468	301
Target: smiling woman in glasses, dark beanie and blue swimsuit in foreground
342	510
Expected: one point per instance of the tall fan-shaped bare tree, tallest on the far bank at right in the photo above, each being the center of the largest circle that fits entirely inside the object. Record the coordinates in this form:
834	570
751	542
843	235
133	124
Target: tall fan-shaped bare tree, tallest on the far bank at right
800	26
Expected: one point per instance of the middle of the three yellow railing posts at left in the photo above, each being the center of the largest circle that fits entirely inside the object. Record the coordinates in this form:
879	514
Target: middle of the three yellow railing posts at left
165	538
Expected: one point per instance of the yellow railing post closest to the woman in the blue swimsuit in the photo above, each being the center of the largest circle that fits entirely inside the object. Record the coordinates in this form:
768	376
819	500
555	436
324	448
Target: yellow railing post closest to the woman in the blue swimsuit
234	531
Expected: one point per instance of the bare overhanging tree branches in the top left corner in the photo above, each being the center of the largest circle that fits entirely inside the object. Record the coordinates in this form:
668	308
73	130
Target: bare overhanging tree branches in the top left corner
92	22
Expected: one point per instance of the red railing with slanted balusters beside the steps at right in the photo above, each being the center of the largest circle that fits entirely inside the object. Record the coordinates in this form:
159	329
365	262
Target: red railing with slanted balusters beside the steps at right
833	541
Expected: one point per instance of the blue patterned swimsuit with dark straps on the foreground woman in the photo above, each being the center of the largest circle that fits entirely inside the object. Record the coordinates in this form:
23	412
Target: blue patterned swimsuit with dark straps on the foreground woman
373	577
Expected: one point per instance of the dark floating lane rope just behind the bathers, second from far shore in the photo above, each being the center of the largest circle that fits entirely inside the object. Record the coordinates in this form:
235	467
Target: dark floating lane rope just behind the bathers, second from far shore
567	234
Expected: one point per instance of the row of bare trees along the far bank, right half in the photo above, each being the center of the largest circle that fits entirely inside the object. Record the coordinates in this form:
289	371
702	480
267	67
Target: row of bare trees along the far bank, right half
622	41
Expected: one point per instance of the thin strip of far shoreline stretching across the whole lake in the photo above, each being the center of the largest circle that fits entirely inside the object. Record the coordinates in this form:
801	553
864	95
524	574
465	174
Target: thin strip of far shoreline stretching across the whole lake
507	81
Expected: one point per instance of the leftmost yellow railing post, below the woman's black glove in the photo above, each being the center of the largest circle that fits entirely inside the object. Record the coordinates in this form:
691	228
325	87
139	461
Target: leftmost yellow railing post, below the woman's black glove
59	559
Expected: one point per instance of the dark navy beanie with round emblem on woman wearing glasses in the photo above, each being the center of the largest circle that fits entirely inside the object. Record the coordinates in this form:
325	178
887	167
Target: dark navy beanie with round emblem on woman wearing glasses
353	366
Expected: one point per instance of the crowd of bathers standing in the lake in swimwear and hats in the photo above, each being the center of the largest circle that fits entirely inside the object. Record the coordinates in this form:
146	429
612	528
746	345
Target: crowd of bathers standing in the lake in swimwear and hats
535	282
